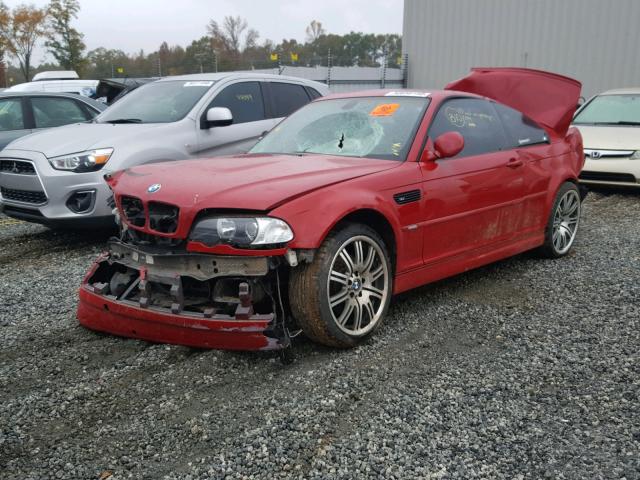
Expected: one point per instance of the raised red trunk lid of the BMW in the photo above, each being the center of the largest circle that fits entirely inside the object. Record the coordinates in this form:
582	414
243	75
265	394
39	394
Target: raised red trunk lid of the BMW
545	97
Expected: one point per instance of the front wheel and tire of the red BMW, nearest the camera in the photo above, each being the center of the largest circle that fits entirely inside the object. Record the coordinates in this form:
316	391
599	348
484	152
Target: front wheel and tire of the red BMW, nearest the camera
341	298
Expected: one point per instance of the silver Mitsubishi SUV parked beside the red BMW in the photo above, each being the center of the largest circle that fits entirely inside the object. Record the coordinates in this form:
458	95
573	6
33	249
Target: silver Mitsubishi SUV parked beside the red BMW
170	119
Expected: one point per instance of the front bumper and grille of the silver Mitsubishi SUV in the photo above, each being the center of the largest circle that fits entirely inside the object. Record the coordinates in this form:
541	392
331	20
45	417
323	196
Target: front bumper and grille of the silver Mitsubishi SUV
41	194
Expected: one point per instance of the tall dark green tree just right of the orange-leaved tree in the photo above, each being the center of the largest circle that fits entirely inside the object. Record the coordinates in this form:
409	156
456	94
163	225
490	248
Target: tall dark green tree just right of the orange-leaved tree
65	42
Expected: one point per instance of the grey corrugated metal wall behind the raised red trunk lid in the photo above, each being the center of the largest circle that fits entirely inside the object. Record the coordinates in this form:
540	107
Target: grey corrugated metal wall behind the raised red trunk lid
594	41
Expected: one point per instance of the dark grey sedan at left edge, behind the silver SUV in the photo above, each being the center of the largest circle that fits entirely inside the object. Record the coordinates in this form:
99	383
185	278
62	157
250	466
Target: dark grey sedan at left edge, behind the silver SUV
28	112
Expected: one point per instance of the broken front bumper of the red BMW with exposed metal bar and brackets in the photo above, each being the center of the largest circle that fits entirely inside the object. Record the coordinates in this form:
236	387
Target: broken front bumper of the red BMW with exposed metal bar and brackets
136	316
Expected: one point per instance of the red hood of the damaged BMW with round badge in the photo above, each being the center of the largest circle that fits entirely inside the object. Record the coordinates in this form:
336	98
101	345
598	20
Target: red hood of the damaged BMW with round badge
250	182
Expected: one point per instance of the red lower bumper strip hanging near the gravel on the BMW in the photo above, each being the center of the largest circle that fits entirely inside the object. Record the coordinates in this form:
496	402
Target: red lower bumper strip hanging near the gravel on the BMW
104	315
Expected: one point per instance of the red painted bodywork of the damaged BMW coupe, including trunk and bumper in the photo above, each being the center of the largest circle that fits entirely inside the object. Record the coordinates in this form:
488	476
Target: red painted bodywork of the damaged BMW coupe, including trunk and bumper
474	210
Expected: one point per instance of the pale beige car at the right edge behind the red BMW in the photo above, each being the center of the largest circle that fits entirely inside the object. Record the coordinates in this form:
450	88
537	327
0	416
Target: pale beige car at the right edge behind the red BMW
610	127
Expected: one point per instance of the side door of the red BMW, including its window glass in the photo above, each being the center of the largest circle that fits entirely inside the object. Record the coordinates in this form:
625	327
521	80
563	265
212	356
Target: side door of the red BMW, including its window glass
473	201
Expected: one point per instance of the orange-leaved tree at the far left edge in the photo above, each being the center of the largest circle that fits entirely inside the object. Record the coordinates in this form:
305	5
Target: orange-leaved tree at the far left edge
25	25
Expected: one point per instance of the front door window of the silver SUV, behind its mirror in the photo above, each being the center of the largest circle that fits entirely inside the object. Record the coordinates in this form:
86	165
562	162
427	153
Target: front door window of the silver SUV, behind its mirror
243	99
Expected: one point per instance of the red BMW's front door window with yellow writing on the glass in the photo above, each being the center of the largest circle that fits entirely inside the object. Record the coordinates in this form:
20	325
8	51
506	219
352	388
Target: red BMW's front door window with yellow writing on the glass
476	120
